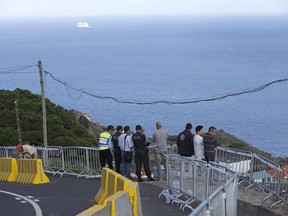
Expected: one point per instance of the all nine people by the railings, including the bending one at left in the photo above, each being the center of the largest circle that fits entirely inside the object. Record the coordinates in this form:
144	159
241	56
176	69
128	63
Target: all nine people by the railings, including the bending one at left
122	143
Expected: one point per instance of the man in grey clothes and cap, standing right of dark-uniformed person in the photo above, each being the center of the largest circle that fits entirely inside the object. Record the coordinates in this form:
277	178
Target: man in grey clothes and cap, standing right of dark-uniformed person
159	138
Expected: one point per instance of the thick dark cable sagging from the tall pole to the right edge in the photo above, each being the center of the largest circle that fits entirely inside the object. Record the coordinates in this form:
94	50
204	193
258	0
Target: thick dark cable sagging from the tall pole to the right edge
69	86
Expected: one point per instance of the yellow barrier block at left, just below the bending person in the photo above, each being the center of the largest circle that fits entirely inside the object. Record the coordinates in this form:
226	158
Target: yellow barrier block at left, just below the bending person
30	171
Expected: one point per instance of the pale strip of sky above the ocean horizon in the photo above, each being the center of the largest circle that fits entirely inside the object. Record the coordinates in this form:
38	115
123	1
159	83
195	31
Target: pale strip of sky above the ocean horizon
38	8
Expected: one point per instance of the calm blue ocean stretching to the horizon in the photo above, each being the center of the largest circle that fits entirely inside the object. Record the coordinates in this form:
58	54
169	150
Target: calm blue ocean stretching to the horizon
148	59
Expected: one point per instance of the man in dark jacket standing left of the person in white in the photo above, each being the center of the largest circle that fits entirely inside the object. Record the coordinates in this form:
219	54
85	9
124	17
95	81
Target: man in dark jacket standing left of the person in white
185	142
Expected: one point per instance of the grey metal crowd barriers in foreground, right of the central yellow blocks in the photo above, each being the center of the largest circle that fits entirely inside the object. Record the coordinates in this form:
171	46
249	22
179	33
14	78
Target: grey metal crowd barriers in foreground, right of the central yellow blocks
191	181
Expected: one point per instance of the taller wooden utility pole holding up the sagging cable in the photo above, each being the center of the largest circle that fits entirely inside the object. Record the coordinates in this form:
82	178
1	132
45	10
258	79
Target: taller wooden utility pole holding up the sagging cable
43	105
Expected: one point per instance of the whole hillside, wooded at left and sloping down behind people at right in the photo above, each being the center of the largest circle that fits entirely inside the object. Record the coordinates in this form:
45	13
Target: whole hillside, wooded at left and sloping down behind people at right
69	127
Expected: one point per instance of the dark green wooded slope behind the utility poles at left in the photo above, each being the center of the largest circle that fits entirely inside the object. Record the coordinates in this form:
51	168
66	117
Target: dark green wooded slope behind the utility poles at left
62	127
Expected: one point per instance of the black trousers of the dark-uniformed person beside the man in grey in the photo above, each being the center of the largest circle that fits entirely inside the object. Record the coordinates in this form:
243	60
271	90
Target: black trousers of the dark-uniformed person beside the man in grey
142	157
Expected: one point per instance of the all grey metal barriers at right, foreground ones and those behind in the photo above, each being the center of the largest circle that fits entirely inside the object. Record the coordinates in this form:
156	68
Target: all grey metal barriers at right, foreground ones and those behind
189	180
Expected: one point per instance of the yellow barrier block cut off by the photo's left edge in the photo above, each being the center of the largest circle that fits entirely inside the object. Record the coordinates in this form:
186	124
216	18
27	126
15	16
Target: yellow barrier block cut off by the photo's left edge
8	169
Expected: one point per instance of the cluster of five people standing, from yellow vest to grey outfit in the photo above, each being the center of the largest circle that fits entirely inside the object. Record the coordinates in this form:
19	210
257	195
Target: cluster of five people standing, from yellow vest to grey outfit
122	144
